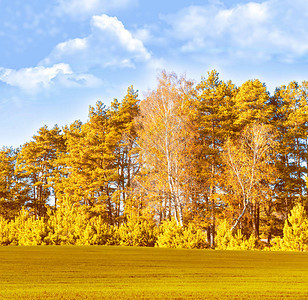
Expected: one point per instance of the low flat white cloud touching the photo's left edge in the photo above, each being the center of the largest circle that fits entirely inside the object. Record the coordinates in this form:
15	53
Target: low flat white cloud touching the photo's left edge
35	79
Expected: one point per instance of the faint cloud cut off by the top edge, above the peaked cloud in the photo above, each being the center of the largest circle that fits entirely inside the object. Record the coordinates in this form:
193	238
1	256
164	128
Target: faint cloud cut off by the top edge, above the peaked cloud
88	8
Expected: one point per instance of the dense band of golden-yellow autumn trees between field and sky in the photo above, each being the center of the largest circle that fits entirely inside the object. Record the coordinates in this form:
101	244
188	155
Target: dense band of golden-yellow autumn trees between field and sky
192	164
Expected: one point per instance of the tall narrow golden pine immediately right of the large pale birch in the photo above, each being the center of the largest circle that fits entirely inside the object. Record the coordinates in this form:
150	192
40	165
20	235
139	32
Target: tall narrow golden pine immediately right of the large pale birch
214	117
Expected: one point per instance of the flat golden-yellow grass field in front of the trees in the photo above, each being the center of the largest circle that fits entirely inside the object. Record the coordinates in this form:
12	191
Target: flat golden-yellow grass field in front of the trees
96	272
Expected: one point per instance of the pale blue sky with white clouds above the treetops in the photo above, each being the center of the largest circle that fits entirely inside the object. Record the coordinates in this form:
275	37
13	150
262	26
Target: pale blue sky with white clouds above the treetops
60	56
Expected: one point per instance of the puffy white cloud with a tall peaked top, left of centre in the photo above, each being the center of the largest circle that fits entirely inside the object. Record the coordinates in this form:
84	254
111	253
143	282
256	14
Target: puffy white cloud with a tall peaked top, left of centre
109	44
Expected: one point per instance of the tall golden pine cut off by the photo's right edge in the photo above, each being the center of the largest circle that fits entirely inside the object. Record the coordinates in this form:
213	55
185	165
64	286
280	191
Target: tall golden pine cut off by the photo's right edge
292	126
